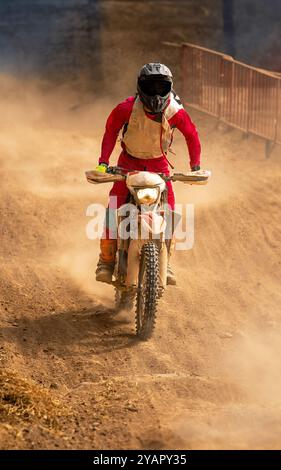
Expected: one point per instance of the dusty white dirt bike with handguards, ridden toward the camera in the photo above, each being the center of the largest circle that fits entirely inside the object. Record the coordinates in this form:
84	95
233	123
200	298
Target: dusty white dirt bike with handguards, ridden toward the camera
142	258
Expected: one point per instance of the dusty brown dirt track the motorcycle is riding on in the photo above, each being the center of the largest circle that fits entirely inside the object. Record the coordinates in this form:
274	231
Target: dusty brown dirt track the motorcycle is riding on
210	377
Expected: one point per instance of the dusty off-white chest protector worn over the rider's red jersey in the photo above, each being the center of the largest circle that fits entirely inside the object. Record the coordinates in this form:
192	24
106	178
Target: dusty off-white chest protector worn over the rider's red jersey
146	138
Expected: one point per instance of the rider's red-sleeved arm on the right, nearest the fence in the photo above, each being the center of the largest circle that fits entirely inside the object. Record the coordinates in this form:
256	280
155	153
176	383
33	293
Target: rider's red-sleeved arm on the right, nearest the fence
183	123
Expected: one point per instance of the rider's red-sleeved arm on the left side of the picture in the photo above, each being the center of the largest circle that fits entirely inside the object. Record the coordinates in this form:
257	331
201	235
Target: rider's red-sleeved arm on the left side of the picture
116	120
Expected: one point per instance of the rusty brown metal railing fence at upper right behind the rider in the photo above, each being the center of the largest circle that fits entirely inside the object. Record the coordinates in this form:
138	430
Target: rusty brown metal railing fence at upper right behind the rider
242	96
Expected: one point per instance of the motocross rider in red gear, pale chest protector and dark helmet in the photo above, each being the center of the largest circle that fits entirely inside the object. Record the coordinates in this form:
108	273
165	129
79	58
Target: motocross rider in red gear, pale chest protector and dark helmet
147	120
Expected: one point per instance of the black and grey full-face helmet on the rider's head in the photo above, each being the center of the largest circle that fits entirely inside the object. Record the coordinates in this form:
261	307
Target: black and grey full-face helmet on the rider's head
155	83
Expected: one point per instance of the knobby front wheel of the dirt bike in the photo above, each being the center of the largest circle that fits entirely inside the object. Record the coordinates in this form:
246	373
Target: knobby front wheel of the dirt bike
148	290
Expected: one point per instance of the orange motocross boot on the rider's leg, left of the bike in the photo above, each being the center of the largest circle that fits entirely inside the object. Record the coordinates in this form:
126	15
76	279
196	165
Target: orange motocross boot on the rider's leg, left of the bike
105	267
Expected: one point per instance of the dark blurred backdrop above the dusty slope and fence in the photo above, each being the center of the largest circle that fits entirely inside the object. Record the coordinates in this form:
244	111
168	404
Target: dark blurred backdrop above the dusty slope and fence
104	42
